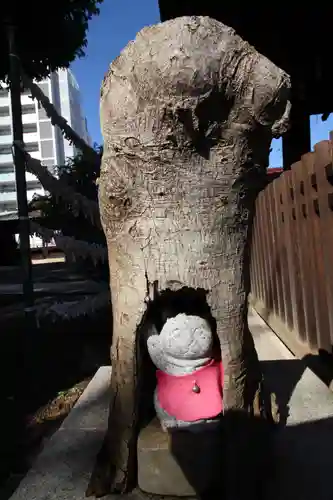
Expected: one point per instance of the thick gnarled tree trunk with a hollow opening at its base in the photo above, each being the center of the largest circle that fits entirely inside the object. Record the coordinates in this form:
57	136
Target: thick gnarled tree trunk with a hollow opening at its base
188	111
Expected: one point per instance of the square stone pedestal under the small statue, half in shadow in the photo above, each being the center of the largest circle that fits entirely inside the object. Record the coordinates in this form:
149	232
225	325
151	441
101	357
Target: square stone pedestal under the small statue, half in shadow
182	463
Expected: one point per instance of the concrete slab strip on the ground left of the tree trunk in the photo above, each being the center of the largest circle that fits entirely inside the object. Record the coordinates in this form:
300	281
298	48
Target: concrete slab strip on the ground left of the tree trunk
62	470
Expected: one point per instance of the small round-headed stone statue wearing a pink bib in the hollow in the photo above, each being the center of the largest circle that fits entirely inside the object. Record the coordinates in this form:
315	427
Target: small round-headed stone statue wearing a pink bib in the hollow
189	380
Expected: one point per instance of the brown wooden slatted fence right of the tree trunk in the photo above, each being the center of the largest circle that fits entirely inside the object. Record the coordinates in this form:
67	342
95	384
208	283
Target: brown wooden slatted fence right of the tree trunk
292	253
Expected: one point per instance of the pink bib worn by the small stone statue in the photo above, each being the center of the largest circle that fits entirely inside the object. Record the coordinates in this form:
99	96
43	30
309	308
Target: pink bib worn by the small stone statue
192	397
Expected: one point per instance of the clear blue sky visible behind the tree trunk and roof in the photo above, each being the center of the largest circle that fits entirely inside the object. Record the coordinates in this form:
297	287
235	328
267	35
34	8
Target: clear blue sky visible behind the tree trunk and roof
109	33
